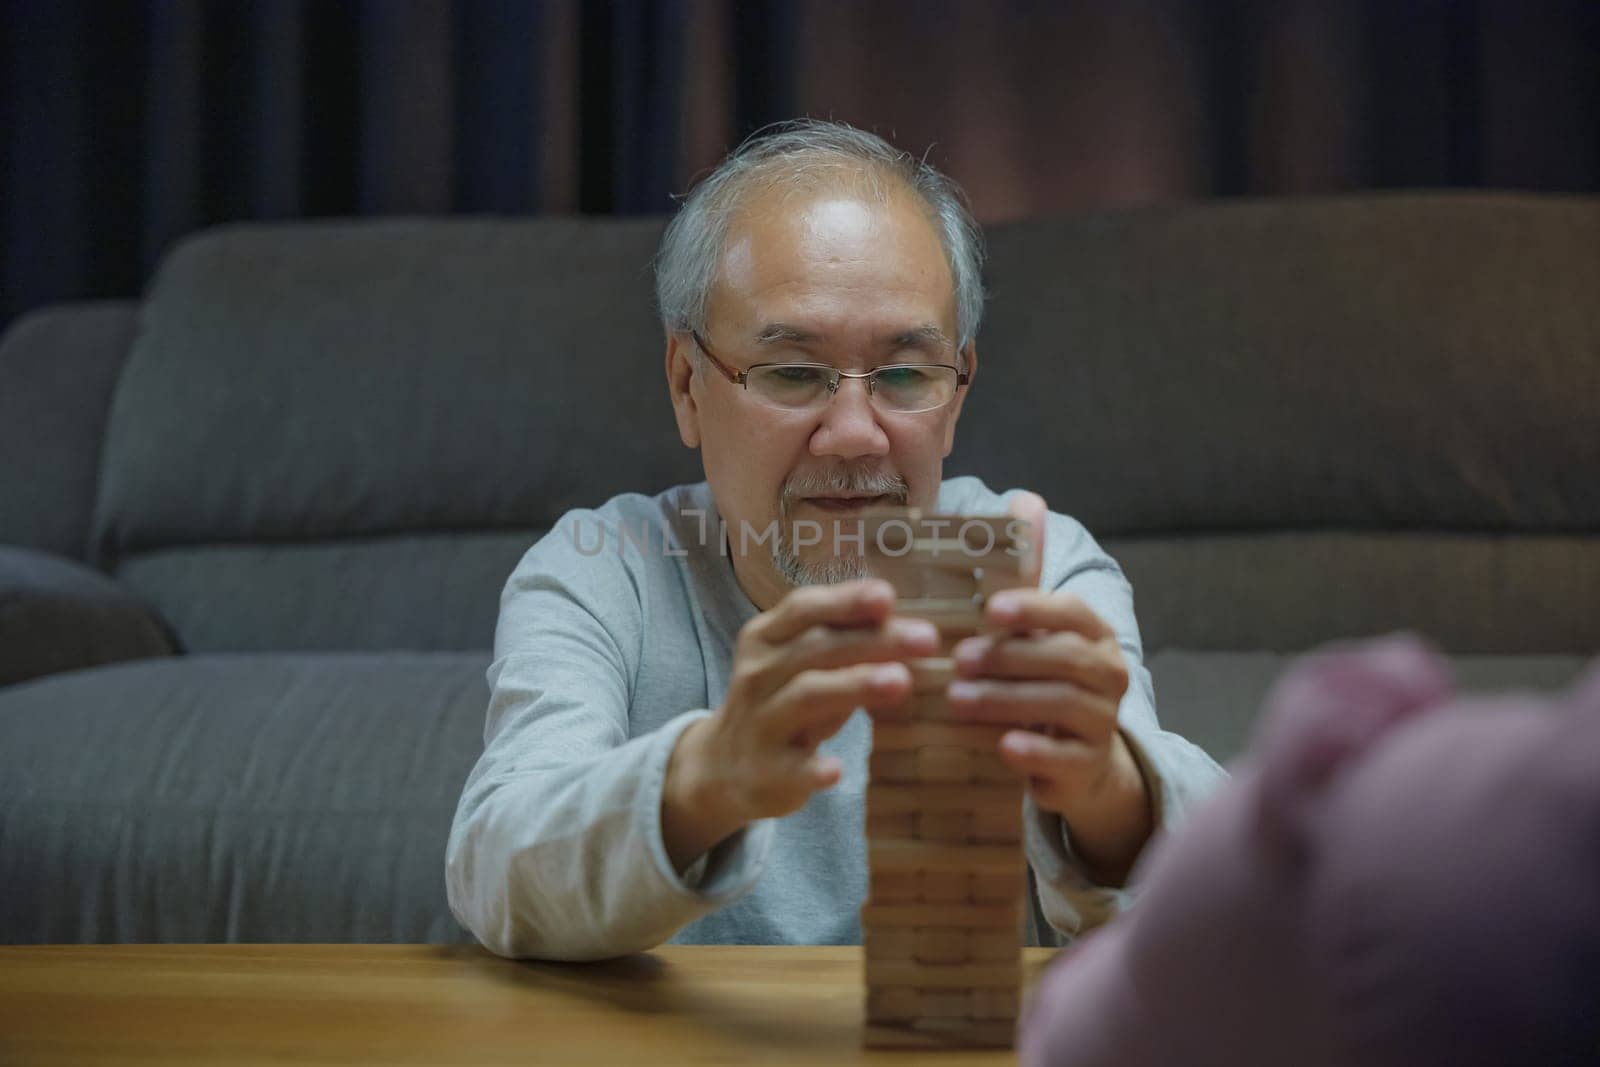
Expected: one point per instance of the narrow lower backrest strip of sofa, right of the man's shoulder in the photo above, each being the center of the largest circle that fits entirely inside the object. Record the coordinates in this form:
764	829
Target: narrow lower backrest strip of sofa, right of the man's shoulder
1287	591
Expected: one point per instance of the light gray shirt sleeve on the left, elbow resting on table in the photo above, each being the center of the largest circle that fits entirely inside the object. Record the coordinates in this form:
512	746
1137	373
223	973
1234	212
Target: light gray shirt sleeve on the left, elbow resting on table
556	850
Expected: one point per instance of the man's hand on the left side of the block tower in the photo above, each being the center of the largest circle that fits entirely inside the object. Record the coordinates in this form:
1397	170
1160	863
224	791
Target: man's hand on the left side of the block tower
799	673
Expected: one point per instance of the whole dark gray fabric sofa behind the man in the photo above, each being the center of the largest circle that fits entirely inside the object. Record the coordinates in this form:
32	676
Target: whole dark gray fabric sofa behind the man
257	524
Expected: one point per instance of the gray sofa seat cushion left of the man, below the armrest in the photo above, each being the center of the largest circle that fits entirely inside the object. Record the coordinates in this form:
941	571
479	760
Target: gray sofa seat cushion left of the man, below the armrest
236	799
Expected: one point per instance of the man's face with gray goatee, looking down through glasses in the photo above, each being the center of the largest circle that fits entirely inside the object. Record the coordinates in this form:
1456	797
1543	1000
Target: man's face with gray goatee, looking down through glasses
823	278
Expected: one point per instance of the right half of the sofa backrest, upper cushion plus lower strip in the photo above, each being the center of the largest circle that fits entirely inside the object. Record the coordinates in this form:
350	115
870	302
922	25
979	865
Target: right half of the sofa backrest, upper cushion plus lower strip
1306	420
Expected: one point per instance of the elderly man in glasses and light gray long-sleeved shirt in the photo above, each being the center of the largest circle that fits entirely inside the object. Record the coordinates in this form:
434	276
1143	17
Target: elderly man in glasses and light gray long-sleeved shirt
676	746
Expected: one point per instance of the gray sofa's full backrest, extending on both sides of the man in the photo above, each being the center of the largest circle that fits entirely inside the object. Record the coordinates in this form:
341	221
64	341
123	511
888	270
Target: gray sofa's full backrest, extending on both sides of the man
1290	422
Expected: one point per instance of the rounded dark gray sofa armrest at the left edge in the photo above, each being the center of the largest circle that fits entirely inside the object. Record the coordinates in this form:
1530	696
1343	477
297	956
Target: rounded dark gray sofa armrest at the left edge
60	615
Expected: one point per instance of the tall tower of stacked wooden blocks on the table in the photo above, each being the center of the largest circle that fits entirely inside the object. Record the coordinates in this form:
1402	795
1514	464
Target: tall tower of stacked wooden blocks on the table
942	929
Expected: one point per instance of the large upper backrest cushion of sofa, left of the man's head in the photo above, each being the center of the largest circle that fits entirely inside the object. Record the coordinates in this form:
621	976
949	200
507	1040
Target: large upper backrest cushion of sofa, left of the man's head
332	380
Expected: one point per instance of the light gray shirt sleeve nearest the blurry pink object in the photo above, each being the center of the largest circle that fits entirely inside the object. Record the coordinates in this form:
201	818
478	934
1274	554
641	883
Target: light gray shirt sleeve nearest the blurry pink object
1178	773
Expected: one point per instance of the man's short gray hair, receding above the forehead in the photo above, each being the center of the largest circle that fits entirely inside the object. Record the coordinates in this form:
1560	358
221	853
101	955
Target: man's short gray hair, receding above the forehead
801	153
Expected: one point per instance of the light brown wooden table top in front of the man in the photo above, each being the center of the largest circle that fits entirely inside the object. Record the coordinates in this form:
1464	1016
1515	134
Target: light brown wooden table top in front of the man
438	1005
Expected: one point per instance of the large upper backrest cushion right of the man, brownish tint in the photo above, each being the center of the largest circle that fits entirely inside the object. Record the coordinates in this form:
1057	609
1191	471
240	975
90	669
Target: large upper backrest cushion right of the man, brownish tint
1422	361
